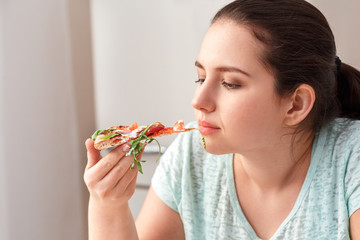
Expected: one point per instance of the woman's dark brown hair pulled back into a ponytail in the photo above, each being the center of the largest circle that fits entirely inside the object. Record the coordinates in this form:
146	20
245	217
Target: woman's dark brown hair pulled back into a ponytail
300	49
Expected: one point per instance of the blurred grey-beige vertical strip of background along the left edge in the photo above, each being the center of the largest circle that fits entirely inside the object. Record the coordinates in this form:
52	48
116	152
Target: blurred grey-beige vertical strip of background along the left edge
46	113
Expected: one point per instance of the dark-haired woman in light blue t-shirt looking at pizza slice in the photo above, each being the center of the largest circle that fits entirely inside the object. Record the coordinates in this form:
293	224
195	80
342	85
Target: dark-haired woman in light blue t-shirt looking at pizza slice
279	114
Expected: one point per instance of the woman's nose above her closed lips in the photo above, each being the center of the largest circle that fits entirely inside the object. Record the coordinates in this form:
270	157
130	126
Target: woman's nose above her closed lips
204	98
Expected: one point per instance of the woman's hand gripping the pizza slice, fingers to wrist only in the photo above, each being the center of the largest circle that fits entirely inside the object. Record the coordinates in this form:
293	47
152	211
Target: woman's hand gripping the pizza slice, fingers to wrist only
109	179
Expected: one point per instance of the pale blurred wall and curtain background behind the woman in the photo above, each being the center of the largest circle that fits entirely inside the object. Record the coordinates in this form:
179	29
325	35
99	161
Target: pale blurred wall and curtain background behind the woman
68	67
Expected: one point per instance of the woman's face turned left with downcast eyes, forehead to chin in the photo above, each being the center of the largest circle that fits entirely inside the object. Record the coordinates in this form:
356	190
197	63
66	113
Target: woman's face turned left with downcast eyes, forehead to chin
235	102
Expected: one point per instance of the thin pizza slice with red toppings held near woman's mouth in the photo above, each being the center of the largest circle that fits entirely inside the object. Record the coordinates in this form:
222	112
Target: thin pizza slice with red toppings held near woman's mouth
118	135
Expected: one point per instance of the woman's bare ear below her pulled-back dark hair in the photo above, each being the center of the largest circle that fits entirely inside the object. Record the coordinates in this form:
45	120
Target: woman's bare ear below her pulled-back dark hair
300	104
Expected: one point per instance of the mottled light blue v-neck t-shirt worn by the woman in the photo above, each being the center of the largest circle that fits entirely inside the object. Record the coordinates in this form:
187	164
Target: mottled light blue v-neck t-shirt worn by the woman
200	187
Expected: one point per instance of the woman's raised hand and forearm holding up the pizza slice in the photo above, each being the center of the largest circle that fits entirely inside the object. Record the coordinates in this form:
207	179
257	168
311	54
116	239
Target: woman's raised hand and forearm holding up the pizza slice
111	184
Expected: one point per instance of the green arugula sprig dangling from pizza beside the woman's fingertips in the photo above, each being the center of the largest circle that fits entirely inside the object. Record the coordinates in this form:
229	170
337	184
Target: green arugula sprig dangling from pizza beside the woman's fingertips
137	147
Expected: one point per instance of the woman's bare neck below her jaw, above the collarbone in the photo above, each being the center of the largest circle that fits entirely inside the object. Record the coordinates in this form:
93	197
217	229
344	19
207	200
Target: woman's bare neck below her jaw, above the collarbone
277	167
